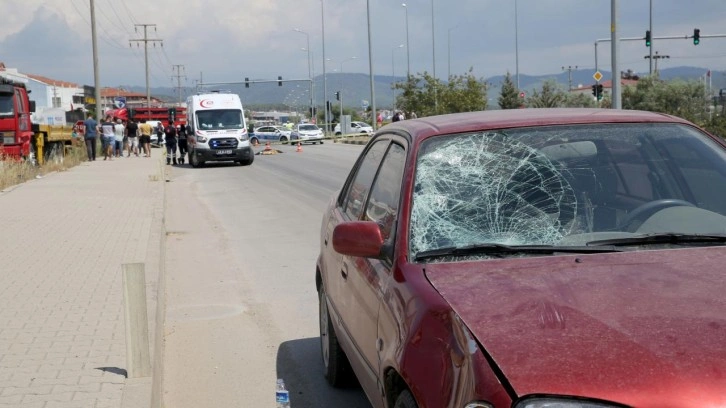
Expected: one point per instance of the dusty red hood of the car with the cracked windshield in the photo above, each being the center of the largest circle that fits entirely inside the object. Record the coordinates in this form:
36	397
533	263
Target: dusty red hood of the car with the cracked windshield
641	328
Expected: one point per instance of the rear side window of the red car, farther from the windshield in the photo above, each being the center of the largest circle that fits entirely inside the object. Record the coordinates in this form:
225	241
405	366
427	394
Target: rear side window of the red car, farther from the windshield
358	189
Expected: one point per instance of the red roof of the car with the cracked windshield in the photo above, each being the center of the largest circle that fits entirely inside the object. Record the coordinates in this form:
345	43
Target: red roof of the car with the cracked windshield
512	118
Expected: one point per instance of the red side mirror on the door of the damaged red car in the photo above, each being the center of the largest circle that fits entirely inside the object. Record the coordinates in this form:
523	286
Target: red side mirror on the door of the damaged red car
358	238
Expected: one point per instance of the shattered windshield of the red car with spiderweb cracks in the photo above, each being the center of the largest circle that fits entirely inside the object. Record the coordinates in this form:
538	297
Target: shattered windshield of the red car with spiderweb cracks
566	185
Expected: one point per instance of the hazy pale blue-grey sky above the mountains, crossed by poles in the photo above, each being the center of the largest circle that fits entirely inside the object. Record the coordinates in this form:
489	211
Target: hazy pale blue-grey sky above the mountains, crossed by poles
227	40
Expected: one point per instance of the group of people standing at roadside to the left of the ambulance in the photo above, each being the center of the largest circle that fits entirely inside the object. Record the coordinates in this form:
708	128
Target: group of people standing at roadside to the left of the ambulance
131	137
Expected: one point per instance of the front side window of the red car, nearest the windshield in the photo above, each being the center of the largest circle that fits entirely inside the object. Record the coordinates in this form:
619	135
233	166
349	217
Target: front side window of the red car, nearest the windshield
384	198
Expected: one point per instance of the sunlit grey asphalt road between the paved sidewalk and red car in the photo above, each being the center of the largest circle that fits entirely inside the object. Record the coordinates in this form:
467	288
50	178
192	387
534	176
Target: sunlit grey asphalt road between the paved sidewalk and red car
242	309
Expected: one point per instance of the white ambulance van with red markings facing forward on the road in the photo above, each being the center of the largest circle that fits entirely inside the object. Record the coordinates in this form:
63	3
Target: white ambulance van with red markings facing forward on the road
217	129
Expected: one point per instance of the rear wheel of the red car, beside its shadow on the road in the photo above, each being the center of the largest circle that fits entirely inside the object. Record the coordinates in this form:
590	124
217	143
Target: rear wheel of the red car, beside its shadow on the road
338	372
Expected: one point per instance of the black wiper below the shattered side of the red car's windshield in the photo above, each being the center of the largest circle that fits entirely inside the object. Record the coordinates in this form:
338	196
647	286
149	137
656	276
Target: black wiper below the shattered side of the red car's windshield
500	249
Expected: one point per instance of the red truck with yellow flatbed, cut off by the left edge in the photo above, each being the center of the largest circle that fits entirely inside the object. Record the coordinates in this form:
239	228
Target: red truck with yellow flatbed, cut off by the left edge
22	138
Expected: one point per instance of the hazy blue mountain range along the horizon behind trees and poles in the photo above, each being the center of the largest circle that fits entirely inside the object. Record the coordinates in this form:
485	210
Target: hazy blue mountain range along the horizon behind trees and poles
355	87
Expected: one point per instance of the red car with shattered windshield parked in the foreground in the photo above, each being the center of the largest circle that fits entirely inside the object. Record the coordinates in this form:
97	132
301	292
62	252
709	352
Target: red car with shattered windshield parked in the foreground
568	258
